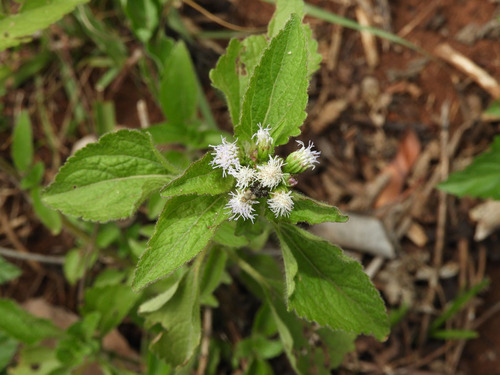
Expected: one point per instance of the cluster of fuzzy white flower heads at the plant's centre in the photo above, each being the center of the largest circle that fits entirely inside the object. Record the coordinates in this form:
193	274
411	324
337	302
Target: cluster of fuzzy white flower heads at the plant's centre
263	176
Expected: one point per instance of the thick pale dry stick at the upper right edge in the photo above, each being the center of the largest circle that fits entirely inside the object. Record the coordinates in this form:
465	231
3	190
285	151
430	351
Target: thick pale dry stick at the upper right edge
467	66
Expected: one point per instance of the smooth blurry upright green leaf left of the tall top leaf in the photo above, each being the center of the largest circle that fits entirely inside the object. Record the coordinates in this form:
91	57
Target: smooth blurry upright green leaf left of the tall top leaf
179	87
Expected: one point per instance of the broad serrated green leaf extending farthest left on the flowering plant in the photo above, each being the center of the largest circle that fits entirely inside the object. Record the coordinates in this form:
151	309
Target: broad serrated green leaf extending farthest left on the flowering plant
108	180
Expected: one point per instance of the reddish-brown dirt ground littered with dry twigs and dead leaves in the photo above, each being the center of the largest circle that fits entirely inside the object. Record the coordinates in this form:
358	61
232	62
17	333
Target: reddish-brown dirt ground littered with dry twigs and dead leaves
391	122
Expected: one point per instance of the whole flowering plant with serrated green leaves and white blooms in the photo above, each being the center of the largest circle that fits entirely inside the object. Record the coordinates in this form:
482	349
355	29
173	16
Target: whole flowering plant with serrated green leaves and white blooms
226	204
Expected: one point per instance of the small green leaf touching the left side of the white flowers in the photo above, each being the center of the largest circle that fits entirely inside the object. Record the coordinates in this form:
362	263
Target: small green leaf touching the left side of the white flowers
200	178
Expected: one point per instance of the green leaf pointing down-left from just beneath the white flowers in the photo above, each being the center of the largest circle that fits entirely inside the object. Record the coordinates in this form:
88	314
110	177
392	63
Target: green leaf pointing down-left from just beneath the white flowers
184	228
